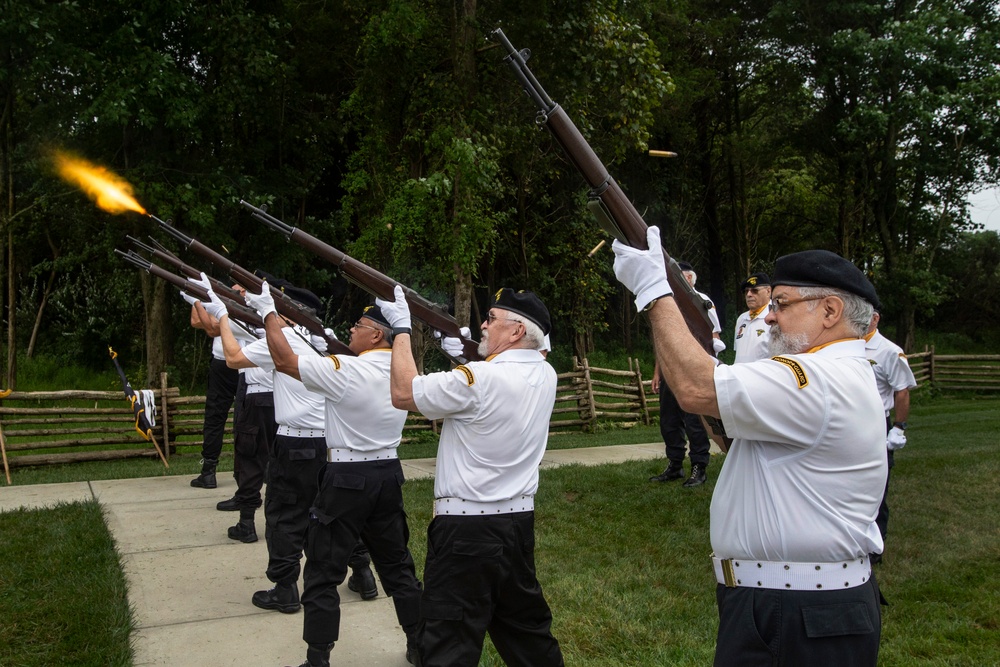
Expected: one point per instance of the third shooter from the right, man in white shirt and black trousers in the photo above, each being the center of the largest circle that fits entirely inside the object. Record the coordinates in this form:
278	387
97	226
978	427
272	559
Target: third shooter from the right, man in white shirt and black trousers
360	495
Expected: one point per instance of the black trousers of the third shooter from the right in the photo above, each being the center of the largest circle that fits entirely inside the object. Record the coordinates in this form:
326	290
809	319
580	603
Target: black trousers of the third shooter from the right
357	500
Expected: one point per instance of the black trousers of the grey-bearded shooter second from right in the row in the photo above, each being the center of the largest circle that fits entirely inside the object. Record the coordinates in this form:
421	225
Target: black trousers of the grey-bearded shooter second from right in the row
479	578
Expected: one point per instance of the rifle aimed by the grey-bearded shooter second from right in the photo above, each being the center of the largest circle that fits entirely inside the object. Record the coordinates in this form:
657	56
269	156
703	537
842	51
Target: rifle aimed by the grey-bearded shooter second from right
375	283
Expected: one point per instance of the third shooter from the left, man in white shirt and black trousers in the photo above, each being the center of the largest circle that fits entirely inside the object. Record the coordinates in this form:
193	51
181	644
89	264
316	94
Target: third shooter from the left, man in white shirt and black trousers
298	453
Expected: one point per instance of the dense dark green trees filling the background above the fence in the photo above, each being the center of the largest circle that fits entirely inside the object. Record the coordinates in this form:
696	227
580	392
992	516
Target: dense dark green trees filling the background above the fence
393	130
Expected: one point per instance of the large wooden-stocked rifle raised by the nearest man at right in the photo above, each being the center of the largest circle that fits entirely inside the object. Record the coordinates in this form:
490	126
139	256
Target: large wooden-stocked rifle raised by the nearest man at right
614	212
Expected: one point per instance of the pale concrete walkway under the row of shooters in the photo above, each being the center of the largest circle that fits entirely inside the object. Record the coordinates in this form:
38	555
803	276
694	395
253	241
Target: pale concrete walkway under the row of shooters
190	585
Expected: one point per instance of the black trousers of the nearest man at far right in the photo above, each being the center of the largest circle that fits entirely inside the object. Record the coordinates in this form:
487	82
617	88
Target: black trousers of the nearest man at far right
778	628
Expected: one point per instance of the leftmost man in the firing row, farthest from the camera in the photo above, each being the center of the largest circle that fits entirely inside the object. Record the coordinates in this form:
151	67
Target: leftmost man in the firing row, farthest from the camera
220	395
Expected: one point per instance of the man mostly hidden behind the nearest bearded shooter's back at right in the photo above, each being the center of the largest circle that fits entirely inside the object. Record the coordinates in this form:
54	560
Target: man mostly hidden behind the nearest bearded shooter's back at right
894	380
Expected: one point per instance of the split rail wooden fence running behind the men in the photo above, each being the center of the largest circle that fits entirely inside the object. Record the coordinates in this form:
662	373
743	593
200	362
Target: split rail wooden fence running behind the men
39	428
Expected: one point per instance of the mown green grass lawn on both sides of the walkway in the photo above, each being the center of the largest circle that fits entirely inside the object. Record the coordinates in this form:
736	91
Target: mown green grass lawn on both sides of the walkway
623	562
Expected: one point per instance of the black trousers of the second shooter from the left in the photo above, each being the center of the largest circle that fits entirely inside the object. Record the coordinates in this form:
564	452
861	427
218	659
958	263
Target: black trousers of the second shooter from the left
254	433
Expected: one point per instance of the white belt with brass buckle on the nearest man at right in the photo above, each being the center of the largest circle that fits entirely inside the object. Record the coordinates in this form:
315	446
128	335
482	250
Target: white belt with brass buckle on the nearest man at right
749	573
